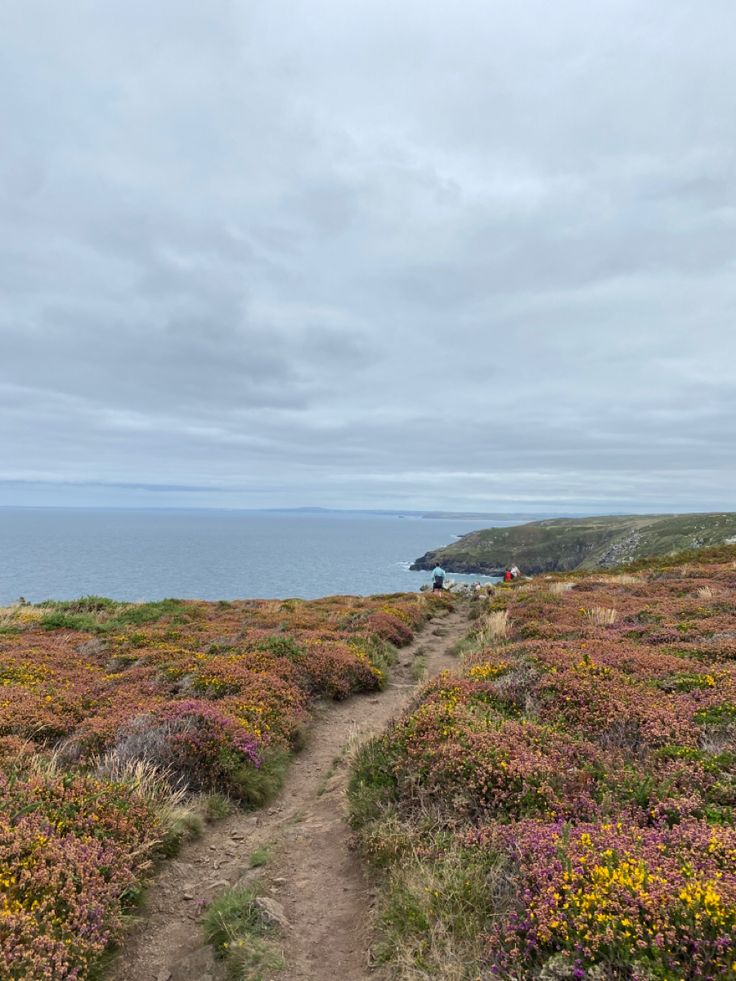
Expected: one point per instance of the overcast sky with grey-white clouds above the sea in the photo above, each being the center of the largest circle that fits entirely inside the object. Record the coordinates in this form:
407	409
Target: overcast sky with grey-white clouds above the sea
476	255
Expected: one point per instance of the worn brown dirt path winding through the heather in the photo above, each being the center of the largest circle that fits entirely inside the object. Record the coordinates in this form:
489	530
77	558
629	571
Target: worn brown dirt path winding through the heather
313	873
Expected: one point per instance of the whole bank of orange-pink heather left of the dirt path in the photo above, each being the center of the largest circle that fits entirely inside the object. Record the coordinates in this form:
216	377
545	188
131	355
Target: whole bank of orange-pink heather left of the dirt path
113	714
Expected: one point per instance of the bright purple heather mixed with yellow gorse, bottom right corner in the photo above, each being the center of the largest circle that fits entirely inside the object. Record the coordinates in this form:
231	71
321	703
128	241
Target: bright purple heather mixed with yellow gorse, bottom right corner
655	902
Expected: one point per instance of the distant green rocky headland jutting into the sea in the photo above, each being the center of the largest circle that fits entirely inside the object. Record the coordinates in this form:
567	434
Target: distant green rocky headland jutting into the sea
565	544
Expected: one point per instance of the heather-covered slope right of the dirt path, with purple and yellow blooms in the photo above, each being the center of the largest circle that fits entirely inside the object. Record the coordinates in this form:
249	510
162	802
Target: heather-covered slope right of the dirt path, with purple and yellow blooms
562	804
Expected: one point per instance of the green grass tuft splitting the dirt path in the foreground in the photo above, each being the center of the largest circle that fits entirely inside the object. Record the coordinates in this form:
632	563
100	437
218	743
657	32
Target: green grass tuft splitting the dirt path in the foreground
236	928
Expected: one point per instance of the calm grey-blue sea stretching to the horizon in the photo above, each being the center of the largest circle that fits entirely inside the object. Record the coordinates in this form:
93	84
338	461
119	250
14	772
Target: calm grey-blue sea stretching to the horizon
58	553
